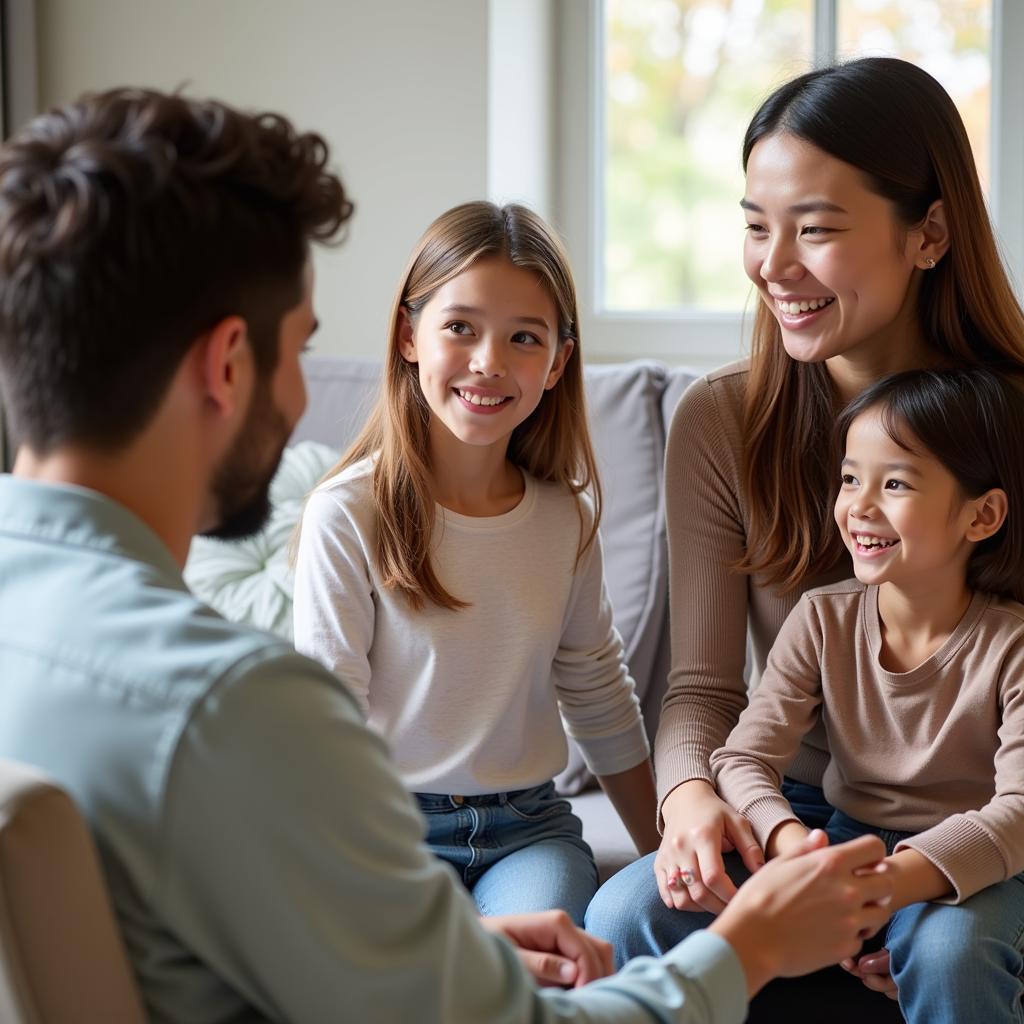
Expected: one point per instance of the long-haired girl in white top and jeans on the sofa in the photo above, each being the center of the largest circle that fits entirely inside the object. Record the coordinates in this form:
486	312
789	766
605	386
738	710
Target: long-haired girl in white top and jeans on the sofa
450	571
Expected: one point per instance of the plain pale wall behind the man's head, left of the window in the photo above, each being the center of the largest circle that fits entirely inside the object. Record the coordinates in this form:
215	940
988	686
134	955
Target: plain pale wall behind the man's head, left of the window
397	88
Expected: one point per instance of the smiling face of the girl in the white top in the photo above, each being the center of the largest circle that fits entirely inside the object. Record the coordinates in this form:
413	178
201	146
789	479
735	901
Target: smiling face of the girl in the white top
488	348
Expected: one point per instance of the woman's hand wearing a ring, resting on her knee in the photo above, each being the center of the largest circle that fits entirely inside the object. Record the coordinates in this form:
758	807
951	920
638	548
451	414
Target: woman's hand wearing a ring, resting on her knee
699	828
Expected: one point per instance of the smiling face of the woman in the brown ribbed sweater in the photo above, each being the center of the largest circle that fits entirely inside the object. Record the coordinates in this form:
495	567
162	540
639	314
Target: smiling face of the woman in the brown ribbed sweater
830	259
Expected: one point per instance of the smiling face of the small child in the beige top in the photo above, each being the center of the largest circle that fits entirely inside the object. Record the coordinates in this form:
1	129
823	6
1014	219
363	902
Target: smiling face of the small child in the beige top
903	515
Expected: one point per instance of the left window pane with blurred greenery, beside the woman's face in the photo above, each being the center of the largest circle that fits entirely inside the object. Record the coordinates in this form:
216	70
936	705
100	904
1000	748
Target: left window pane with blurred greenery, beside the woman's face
680	81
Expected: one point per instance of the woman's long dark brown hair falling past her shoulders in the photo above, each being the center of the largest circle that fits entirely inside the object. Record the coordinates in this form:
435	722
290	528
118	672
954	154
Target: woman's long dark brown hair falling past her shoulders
899	126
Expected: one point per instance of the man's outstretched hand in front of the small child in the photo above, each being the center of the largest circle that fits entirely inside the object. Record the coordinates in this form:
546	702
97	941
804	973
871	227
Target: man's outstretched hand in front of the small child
808	909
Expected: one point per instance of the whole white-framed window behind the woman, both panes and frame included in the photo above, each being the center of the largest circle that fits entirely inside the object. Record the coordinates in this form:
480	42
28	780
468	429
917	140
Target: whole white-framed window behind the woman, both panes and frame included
660	105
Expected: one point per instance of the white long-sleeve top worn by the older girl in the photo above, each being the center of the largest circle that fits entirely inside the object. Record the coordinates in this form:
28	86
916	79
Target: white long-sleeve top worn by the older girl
474	701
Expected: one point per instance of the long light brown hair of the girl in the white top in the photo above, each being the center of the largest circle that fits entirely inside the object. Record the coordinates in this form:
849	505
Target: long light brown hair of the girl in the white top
553	444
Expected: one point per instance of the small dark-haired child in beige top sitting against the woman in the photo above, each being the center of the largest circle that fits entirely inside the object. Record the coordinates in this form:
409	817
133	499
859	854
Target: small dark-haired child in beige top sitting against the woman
918	673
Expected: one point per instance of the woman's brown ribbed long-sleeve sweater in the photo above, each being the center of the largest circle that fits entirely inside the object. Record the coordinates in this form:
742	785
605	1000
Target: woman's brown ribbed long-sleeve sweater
713	606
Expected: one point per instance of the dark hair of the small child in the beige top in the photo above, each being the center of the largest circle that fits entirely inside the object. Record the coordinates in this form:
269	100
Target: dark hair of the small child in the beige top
973	422
